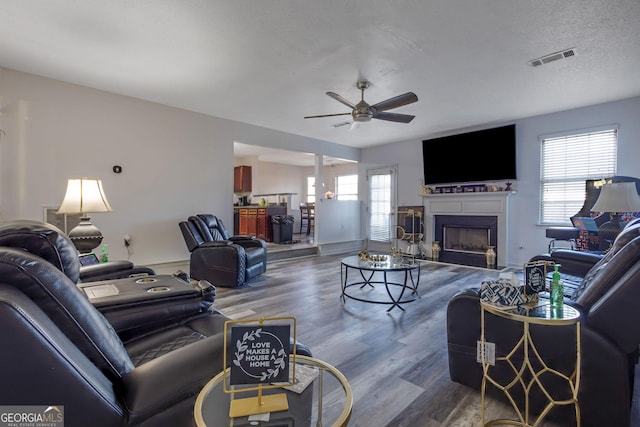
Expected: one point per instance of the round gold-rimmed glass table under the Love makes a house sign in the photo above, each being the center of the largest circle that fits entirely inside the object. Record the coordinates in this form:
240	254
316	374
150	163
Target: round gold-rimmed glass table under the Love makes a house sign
327	400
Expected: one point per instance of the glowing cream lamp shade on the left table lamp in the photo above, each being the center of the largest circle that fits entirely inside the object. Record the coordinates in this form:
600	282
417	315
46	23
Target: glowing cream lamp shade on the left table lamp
84	195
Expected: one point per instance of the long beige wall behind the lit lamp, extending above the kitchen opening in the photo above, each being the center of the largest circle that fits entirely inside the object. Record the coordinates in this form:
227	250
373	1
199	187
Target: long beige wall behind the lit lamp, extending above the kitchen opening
175	163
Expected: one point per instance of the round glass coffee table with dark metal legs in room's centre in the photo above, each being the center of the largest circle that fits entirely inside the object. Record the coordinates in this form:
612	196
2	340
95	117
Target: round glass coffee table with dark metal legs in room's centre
398	291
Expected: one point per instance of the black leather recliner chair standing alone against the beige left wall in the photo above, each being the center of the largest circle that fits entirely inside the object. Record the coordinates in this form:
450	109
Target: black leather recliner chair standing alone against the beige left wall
218	257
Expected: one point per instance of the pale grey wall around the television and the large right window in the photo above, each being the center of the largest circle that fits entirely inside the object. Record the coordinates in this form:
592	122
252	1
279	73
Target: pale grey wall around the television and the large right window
527	237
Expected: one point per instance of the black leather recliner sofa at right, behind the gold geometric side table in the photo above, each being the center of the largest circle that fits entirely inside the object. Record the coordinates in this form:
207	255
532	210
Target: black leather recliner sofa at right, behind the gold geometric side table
608	298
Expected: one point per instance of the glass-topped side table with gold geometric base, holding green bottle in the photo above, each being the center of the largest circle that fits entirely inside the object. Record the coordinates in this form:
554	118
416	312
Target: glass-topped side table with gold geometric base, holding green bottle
526	376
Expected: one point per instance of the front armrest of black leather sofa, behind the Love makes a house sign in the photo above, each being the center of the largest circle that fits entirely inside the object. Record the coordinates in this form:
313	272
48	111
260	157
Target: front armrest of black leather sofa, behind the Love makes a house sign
169	379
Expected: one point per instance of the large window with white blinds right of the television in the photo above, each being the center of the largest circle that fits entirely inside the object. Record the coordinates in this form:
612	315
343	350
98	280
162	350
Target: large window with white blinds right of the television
566	163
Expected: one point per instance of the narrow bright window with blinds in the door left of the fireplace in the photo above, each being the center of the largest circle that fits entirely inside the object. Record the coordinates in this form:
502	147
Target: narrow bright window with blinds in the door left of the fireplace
382	204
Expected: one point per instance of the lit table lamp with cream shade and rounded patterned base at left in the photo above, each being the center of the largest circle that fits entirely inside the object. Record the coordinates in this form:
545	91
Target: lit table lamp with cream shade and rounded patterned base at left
85	195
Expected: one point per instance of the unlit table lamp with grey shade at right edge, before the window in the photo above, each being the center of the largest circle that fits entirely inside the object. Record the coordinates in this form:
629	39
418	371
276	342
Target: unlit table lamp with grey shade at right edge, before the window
615	198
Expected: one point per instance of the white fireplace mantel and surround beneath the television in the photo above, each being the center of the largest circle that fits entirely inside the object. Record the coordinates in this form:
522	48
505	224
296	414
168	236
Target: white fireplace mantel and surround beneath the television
494	203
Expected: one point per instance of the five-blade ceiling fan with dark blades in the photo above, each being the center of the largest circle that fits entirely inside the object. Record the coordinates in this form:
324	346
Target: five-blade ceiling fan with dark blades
363	112
